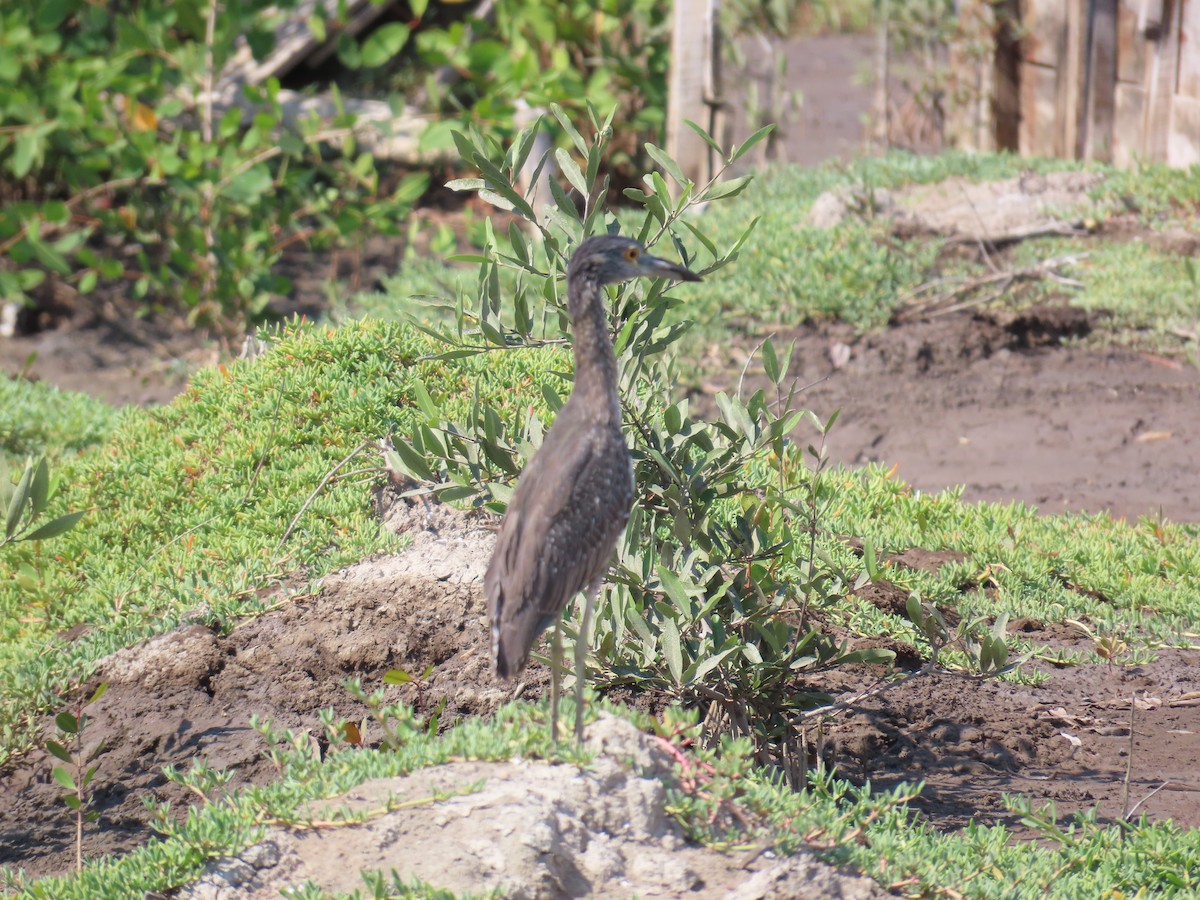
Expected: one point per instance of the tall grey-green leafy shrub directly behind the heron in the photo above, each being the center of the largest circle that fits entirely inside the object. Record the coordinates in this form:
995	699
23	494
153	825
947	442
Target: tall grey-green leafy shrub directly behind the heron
716	574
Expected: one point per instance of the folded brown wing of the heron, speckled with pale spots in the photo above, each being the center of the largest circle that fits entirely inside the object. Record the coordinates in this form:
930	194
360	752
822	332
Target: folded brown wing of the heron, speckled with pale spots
559	535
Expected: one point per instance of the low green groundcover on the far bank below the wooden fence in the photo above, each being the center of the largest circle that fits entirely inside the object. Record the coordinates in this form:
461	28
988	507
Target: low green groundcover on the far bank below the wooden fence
859	272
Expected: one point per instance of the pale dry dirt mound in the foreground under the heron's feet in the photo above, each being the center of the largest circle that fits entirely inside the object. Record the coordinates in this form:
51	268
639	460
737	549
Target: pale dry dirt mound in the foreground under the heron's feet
530	830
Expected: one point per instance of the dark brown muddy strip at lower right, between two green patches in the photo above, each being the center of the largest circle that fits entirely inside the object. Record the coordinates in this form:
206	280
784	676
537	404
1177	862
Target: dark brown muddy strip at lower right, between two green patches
1066	741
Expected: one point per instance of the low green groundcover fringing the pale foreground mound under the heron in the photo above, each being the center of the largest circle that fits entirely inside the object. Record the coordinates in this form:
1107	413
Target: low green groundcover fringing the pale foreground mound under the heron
873	832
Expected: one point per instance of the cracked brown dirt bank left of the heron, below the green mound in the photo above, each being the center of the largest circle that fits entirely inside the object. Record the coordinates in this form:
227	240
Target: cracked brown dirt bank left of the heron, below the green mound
190	694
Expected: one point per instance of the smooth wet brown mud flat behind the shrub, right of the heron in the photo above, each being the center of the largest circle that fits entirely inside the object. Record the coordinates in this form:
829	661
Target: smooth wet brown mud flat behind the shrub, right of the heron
998	403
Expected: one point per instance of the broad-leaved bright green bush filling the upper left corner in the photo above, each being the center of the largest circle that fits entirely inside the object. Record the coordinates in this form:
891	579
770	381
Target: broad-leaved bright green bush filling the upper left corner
116	170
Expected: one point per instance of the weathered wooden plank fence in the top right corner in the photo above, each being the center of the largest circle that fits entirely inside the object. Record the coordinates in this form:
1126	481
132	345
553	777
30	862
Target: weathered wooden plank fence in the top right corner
1101	80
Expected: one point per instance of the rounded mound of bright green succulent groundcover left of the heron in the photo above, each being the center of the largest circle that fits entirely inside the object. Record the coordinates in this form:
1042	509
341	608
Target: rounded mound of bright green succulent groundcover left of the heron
189	503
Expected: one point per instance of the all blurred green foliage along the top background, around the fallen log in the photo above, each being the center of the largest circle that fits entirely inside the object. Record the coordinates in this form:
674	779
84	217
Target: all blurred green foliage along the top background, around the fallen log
118	176
